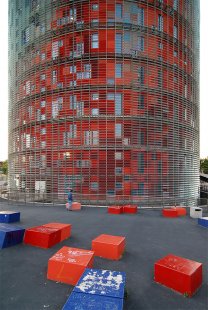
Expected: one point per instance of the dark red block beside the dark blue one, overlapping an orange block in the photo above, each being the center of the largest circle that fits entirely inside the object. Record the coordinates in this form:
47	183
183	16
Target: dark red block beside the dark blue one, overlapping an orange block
43	237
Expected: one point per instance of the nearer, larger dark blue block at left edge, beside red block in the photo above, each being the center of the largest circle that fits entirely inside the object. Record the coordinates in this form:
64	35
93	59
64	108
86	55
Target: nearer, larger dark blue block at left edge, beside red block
10	235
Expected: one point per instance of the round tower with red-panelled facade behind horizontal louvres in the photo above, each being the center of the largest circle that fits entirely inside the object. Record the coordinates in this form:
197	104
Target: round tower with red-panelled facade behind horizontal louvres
104	99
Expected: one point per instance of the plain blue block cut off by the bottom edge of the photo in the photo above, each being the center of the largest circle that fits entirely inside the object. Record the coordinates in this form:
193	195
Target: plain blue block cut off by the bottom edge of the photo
80	301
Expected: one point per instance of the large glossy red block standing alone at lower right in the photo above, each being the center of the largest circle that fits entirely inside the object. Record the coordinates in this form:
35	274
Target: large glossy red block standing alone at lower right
178	273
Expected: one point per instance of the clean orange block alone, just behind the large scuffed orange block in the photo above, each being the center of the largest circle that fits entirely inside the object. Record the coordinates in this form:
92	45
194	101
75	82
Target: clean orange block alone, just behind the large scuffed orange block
107	246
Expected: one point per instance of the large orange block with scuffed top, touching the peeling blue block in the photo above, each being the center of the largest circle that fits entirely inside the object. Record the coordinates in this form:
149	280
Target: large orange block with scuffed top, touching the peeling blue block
68	264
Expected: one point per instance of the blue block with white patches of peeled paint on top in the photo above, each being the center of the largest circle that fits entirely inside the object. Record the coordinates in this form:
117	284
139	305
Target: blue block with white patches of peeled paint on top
102	282
